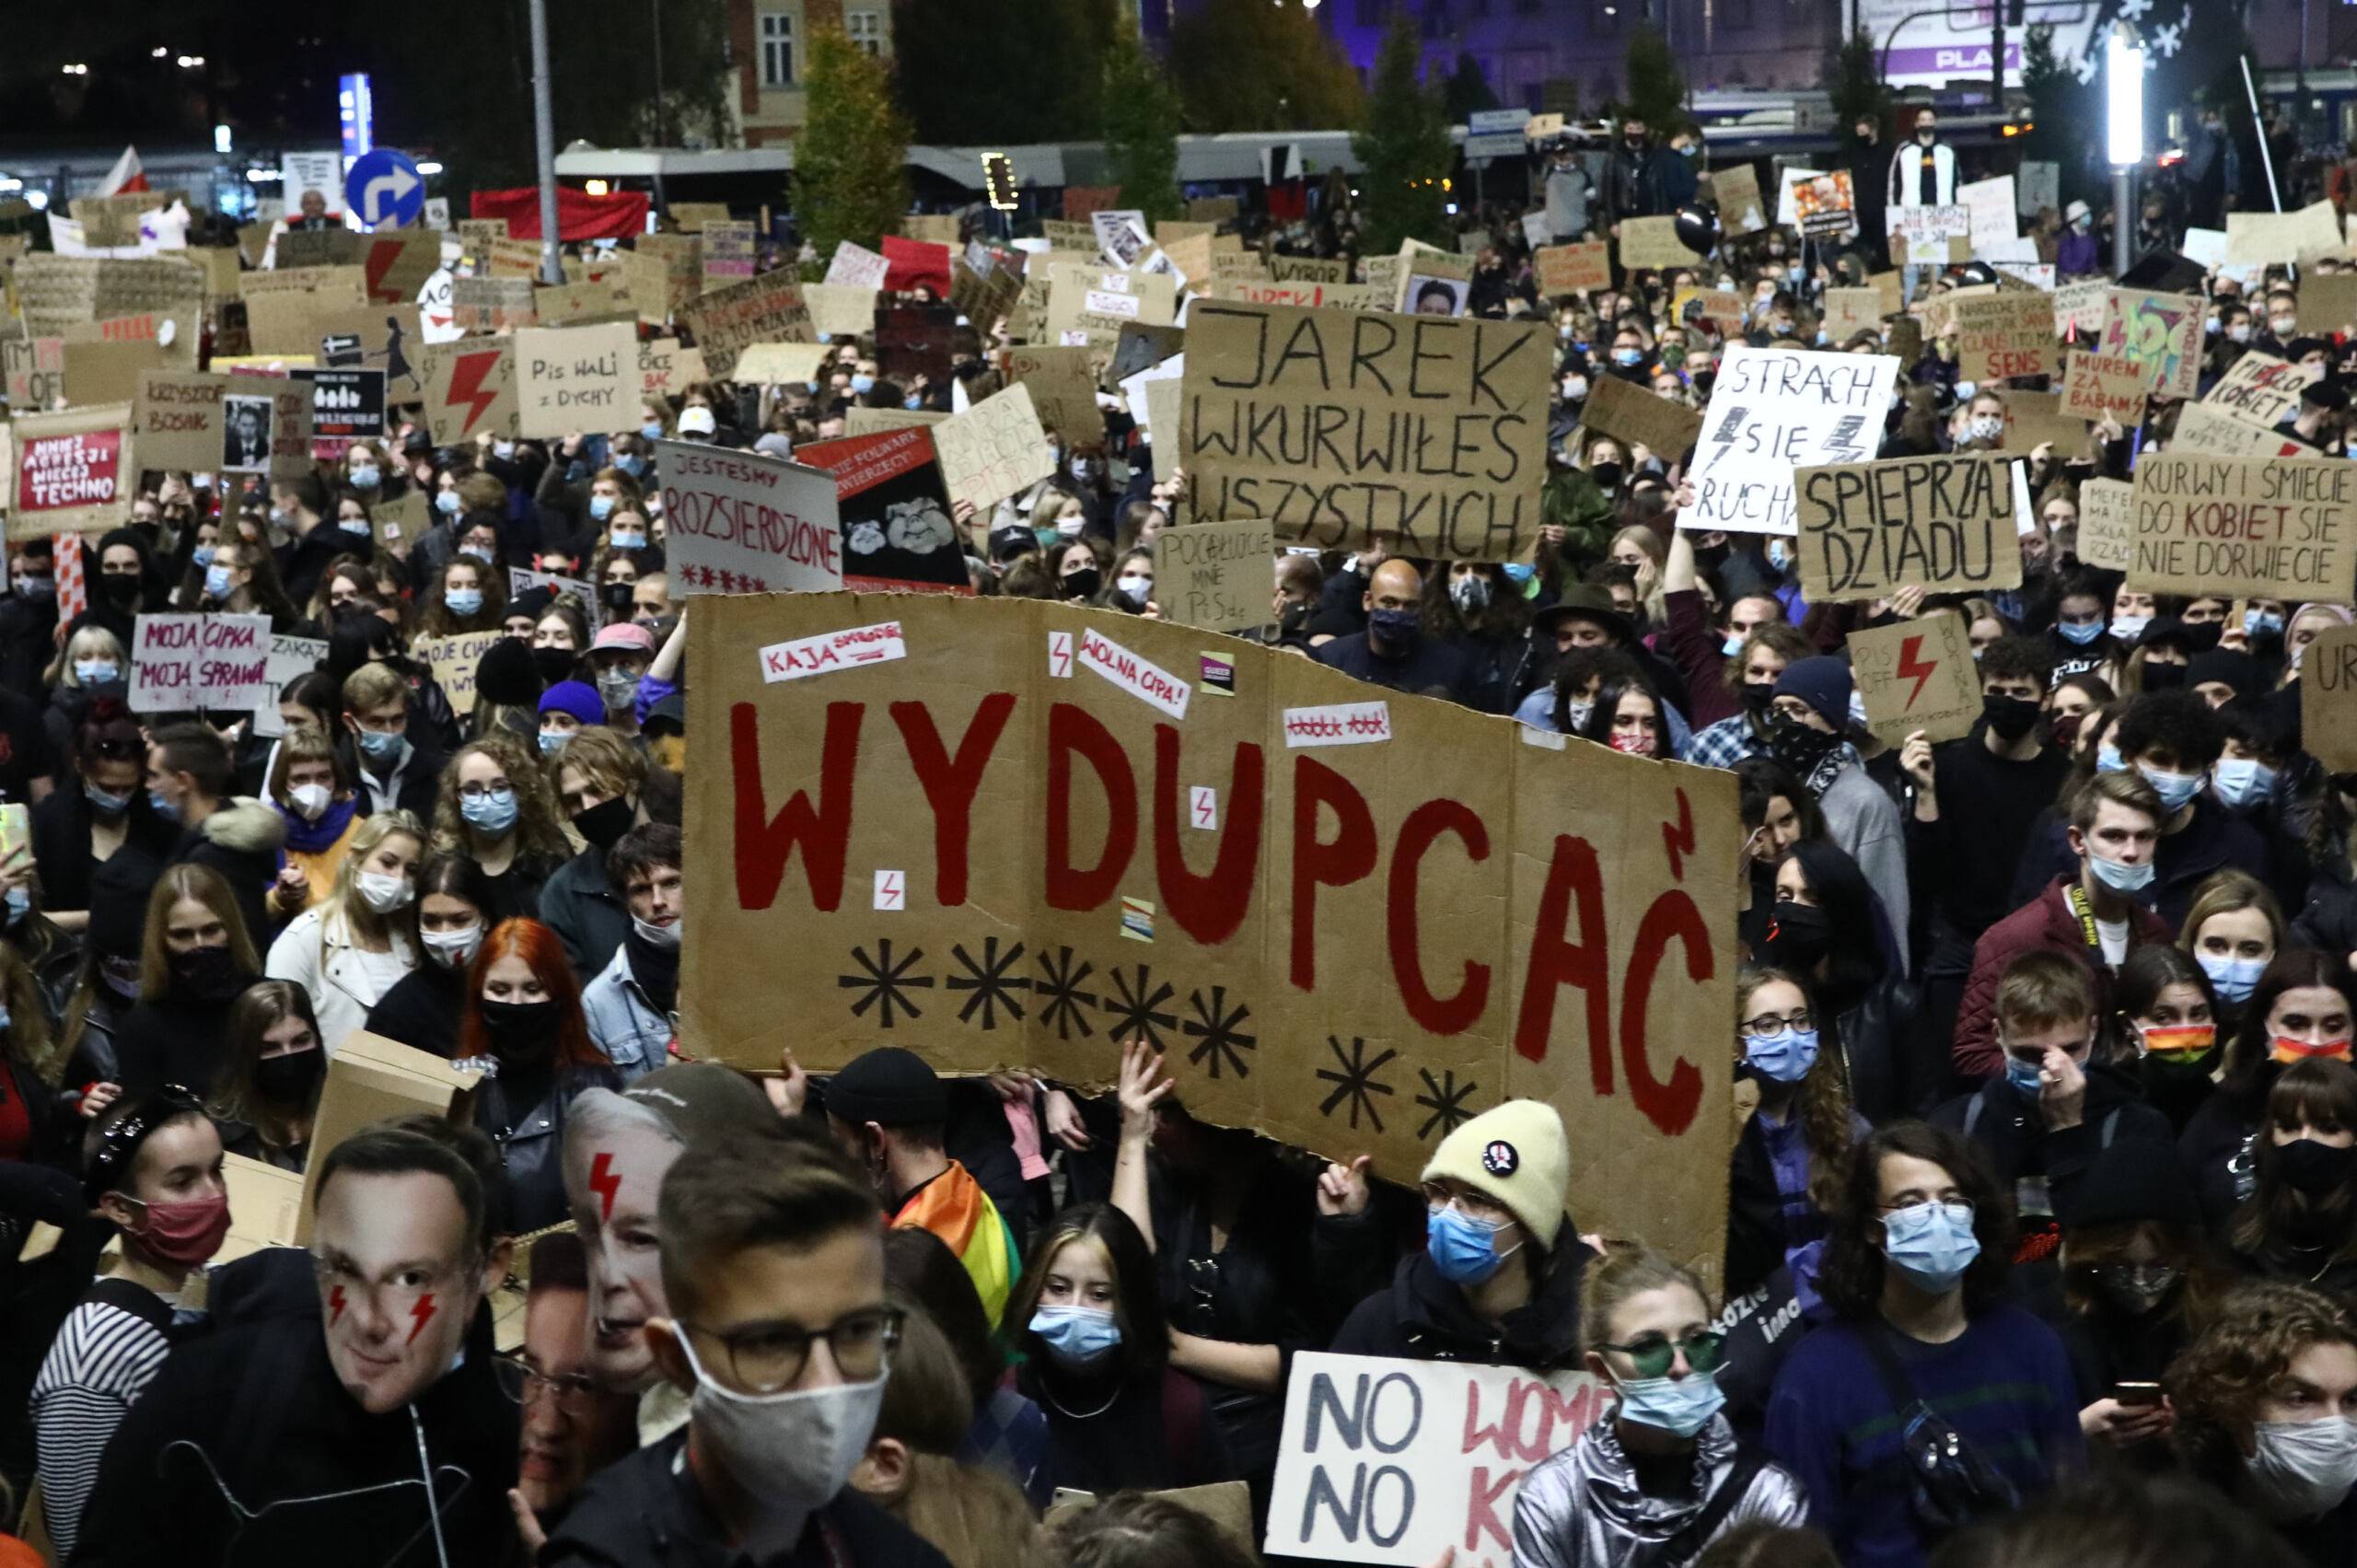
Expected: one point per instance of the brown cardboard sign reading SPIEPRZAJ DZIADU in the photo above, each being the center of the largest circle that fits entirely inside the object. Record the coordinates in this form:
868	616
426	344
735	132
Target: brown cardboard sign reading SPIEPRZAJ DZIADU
1870	529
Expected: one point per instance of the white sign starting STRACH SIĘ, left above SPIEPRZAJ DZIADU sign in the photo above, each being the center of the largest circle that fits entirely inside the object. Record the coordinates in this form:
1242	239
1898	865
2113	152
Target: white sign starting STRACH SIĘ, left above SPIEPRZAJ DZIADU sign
1776	409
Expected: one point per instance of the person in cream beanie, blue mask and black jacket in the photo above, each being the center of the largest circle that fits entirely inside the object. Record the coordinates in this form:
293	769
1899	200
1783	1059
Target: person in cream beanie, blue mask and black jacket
1498	1279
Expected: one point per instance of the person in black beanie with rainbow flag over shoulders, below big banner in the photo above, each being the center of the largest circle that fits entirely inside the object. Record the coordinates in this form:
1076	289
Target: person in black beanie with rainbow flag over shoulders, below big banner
890	1112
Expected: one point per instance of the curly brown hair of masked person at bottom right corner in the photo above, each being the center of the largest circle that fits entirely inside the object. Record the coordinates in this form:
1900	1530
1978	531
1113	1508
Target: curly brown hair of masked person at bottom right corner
2219	1383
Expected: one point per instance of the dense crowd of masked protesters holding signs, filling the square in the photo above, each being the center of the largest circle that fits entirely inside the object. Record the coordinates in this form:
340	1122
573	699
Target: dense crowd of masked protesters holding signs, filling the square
388	1180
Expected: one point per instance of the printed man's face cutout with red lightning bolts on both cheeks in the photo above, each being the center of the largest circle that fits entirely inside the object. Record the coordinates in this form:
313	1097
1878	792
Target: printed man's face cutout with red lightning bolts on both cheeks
400	1282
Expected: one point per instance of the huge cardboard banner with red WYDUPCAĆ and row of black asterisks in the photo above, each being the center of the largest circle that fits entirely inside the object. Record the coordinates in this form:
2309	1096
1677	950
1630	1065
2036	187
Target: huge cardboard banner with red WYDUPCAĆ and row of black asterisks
1349	916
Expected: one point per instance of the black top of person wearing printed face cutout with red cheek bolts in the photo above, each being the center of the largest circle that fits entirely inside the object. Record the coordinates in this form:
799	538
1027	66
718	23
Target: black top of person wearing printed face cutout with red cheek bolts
258	1414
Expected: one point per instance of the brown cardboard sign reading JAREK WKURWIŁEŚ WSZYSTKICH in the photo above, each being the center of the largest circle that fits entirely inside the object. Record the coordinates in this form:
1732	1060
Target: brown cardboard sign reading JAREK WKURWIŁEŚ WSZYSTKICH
1347	430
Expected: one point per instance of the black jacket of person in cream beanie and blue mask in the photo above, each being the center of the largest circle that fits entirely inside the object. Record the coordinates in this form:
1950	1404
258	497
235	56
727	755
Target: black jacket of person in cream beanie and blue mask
1422	1317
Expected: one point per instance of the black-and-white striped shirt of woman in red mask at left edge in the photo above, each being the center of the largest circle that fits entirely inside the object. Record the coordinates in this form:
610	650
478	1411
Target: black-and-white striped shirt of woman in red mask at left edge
100	1362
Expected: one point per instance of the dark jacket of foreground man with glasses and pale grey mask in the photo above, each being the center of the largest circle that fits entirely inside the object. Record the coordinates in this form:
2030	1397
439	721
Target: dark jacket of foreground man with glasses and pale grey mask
647	1513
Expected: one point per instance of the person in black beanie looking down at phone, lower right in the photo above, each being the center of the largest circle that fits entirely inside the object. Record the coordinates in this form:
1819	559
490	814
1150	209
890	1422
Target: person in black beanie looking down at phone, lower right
2139	1282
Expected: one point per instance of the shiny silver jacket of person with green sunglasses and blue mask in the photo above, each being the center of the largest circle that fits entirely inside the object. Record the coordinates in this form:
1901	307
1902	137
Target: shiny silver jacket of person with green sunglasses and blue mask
1585	1510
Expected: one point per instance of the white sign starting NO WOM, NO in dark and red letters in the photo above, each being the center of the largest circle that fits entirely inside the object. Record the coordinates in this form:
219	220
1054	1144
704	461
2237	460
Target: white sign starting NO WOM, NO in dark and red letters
1404	1461
